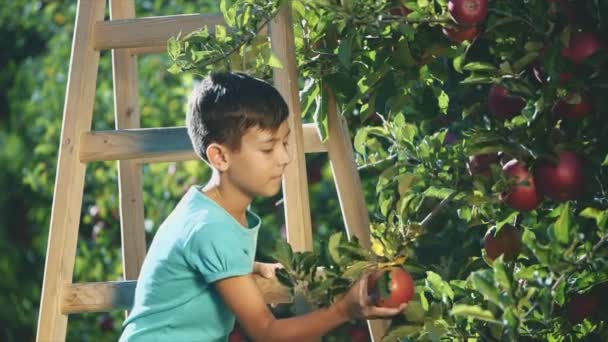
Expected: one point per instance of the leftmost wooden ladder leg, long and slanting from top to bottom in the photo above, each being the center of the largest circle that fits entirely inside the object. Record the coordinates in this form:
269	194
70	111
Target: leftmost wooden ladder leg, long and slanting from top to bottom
69	181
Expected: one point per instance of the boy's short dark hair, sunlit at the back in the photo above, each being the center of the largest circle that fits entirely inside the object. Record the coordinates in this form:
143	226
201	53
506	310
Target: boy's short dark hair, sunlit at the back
224	105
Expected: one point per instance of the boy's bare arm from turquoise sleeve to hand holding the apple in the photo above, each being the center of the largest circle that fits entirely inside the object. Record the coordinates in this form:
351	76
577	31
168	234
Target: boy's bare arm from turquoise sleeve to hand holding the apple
244	298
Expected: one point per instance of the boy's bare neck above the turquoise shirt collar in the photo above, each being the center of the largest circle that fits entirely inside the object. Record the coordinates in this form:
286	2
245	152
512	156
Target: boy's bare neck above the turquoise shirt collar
228	197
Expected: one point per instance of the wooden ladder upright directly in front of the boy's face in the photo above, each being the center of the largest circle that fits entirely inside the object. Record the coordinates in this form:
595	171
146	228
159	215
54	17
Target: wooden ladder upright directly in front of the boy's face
295	182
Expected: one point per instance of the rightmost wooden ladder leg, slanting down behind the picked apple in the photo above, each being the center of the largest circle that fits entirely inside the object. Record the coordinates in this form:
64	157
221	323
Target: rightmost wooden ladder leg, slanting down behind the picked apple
350	191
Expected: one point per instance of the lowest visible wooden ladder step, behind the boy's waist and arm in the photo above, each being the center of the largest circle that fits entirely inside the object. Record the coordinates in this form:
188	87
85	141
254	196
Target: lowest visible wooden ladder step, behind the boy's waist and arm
118	295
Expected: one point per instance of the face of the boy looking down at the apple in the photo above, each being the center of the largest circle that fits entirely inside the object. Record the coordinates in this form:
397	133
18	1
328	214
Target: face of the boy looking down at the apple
257	167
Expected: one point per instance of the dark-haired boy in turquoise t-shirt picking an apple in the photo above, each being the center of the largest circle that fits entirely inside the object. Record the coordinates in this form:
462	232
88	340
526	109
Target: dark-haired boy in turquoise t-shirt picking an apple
197	274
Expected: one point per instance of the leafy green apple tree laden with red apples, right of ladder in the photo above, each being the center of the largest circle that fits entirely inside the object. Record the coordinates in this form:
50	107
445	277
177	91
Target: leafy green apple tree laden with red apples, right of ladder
483	127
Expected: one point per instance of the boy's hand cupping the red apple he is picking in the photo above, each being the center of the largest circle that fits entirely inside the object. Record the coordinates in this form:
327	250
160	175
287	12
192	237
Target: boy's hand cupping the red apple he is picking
358	304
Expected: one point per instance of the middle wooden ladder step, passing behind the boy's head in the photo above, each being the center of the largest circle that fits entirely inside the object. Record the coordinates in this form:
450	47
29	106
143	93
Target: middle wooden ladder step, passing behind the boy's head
155	145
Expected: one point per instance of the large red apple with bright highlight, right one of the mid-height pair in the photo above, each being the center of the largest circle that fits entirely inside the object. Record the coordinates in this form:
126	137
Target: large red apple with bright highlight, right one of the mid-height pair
563	181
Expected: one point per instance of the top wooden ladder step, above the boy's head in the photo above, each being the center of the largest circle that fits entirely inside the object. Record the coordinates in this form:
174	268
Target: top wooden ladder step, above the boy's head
150	34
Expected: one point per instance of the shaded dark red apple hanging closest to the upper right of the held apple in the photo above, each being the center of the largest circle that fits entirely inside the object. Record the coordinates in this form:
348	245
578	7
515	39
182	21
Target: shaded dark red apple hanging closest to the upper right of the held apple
507	243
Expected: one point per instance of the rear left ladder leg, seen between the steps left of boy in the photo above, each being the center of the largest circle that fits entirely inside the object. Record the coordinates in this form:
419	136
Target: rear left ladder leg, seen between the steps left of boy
130	185
